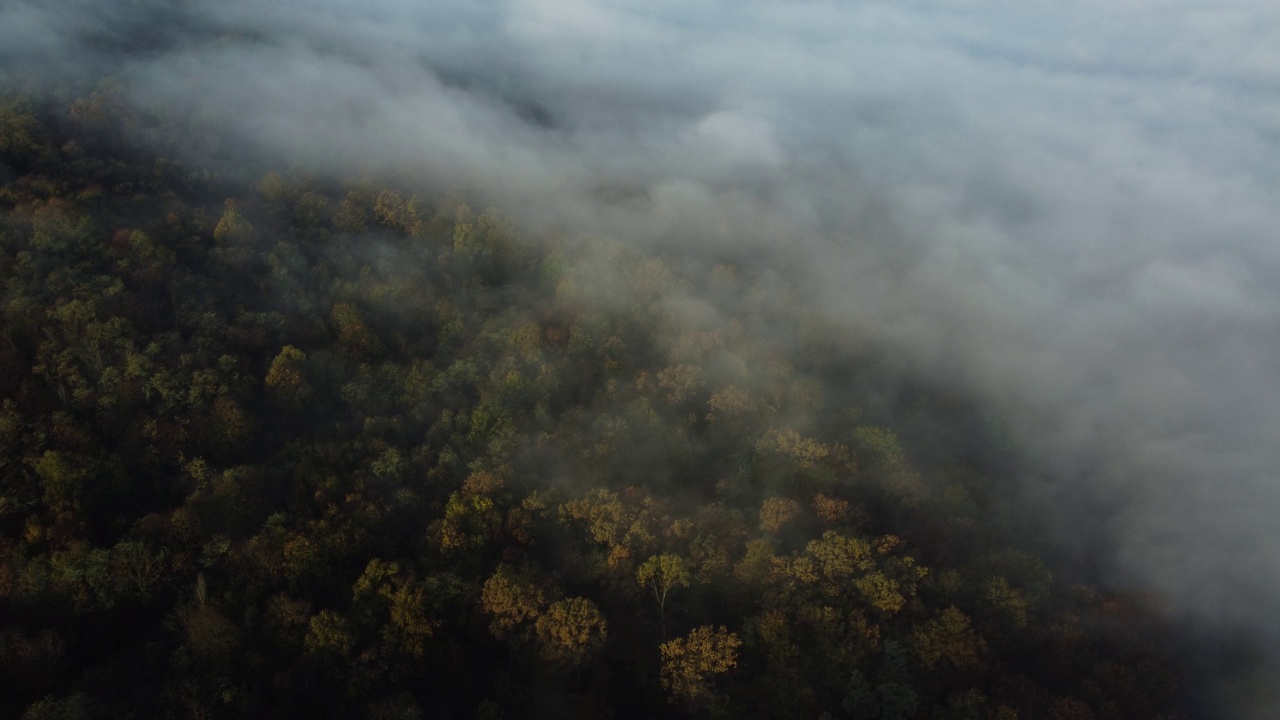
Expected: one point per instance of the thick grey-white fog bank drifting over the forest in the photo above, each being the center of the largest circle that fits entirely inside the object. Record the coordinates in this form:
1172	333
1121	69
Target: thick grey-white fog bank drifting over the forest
1068	209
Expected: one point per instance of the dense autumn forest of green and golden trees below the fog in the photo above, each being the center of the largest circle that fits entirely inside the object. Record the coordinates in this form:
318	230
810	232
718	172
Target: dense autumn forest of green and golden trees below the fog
289	446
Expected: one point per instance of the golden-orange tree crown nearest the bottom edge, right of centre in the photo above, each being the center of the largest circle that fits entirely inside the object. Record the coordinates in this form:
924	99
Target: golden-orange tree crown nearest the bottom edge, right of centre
692	662
